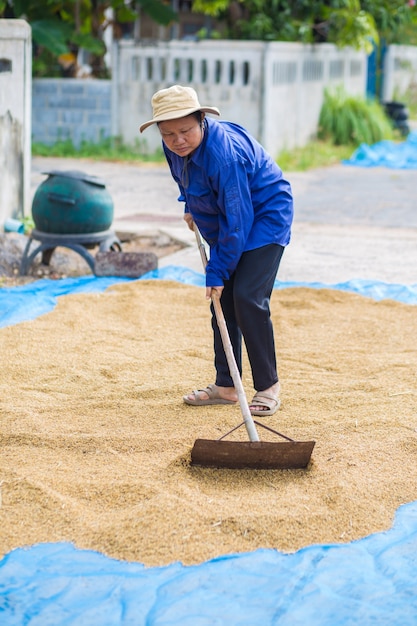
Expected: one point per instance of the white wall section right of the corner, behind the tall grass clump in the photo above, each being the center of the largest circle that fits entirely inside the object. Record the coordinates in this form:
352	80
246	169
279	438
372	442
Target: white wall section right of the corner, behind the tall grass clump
296	77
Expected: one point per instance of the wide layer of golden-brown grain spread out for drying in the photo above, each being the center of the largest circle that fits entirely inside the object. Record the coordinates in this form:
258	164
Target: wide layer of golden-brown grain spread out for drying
96	440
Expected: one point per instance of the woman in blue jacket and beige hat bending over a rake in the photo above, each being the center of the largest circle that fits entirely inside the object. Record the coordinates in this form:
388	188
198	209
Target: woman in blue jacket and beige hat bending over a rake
236	195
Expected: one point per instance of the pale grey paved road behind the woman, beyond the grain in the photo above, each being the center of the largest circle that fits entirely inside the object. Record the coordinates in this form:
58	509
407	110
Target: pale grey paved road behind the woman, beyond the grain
350	222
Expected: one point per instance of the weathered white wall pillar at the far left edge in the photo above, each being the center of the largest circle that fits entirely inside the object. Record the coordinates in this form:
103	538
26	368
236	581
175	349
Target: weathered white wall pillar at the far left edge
15	117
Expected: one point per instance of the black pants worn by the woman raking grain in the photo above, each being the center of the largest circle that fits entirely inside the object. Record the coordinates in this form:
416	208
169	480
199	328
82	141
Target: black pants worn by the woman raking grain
245	304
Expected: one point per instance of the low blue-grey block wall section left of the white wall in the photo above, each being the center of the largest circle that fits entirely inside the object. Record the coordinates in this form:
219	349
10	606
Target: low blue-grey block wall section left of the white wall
70	108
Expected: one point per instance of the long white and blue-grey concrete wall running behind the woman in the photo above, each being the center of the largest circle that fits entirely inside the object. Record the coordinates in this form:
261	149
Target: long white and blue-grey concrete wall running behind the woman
273	89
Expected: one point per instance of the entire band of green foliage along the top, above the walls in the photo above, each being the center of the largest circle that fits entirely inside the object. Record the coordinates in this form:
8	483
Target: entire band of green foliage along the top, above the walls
63	26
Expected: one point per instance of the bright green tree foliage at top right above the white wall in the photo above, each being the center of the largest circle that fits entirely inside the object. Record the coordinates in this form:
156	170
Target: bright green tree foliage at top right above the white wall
355	23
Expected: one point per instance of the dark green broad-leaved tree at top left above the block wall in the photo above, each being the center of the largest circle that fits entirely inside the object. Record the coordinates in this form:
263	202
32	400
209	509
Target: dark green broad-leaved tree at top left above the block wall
60	28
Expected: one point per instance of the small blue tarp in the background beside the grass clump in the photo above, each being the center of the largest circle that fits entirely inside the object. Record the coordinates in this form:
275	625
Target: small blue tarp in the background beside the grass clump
387	154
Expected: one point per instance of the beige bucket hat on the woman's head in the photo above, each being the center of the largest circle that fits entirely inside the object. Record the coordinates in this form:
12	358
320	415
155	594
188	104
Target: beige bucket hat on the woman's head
175	102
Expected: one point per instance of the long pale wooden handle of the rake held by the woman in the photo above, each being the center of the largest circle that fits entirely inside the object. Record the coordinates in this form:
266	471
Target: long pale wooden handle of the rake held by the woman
231	361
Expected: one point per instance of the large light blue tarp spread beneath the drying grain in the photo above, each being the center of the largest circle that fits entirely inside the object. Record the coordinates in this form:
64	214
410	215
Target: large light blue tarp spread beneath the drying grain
367	582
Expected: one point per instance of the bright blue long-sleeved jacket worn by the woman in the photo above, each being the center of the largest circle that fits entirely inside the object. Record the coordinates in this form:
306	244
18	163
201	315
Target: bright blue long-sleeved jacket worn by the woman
236	195
